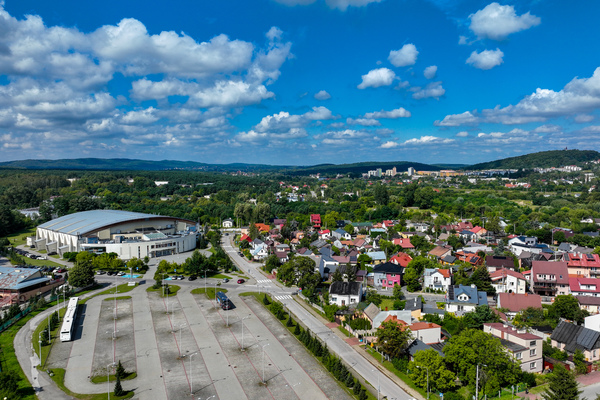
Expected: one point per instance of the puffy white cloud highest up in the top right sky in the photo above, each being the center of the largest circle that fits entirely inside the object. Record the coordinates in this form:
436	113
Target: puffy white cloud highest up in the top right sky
497	22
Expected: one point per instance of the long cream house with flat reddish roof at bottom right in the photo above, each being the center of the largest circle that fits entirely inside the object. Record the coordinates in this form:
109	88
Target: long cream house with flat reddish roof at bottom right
523	346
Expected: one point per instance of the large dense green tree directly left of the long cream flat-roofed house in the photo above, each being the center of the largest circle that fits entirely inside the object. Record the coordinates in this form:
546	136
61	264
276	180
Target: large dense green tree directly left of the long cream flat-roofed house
474	347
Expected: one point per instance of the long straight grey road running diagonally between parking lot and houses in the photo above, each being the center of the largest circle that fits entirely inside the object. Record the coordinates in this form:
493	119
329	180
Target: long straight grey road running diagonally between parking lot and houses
370	372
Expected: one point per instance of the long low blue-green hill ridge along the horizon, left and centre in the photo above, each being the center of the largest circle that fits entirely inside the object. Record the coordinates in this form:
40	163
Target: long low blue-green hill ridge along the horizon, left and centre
125	164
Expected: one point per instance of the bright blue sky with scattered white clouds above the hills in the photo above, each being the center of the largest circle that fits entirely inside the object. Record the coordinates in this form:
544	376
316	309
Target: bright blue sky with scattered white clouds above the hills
297	82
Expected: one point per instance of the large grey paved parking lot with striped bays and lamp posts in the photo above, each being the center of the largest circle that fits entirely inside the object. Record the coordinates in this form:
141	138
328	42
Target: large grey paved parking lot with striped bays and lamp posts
194	350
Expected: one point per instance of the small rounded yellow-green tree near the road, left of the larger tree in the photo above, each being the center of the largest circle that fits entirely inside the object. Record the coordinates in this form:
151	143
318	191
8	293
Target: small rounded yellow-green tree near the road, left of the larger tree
441	379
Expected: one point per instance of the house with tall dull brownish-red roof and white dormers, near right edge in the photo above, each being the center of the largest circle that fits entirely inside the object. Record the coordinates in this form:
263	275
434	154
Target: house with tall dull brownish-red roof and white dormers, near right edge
550	278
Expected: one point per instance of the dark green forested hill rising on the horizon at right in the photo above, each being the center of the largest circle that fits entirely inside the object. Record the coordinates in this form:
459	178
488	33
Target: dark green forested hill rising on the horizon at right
543	159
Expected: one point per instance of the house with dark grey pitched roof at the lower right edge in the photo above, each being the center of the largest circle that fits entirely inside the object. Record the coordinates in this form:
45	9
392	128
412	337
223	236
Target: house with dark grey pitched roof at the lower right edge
570	337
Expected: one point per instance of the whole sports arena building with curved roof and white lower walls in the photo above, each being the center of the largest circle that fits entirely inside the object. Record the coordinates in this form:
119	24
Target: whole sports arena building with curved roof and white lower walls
128	234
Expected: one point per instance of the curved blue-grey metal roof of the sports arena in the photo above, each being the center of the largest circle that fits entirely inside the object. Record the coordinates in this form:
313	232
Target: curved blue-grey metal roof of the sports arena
89	221
